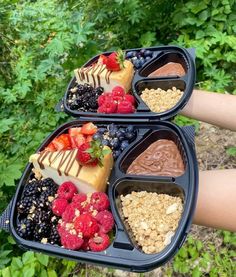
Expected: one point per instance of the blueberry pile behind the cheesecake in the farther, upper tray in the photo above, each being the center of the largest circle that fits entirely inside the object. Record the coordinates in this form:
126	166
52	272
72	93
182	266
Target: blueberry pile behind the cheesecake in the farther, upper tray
139	58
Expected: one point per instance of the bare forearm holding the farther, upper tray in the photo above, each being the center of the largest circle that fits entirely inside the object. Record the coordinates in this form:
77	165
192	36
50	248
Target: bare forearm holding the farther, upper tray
215	108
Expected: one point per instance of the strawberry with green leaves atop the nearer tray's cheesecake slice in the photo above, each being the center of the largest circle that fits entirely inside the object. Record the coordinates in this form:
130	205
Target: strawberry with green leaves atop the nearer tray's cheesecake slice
92	153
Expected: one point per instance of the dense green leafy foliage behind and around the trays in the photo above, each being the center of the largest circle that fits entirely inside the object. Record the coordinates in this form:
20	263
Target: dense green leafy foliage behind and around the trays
41	42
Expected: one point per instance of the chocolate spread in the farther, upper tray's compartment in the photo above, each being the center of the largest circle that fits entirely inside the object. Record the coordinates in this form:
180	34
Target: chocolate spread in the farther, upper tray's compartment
169	69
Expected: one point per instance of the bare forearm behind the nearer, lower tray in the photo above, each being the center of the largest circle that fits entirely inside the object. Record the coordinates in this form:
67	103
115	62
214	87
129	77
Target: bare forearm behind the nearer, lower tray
216	204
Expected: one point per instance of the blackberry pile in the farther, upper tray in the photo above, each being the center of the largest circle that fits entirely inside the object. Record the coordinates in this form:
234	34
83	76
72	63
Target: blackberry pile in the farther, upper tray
84	98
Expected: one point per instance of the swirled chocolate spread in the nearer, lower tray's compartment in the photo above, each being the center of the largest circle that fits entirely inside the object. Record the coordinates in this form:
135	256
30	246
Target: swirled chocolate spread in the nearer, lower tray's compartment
160	158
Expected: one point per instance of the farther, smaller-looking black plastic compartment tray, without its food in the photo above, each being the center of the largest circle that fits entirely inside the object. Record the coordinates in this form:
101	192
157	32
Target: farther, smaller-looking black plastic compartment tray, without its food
161	55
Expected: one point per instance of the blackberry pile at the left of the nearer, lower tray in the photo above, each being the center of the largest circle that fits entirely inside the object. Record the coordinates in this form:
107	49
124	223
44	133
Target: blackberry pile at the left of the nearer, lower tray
35	219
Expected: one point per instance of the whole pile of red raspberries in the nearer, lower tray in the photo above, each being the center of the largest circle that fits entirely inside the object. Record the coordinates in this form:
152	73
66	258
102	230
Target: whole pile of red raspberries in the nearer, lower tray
85	219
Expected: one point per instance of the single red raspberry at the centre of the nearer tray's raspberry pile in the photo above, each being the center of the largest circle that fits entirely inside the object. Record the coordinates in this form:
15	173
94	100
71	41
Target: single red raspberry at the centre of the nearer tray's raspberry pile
87	225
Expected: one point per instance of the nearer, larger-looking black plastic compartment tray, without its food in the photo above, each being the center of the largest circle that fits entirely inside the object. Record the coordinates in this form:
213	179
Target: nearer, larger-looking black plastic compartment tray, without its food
123	252
